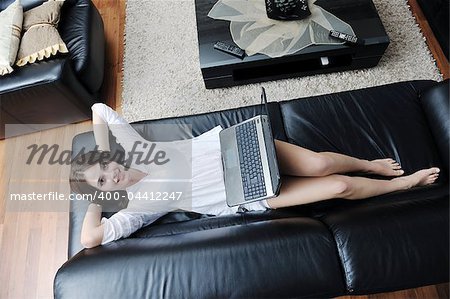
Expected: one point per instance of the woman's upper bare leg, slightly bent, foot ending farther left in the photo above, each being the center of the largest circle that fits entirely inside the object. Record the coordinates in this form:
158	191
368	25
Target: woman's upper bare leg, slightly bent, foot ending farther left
297	161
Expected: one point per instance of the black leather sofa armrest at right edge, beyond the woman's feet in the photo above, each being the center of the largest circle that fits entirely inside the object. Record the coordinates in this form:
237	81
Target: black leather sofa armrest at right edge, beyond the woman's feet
435	103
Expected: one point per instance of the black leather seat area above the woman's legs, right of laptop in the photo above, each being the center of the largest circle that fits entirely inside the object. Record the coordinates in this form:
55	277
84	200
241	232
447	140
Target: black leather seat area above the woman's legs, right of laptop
372	123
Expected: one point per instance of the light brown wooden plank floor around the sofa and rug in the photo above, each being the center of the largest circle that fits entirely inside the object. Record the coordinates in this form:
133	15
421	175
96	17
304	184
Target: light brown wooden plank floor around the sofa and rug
33	245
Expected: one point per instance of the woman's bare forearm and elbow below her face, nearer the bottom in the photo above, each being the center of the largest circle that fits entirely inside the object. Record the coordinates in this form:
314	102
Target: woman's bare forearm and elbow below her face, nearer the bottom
92	229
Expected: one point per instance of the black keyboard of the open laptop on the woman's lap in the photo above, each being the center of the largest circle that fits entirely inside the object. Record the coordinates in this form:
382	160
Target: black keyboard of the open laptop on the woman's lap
250	160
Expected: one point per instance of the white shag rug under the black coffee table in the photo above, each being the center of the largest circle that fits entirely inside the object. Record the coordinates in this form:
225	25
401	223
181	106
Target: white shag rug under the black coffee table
162	76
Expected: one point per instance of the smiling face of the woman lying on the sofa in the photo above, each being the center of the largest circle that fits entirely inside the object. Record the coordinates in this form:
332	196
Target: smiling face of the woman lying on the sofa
108	176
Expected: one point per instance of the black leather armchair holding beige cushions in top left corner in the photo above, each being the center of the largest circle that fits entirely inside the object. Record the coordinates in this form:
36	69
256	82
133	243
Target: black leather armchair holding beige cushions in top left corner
59	90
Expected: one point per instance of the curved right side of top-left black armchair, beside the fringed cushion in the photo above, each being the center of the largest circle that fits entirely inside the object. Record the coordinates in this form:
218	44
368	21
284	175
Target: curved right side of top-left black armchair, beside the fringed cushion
81	28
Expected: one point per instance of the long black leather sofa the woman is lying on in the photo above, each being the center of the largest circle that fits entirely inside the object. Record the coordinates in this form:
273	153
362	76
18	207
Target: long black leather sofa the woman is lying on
331	248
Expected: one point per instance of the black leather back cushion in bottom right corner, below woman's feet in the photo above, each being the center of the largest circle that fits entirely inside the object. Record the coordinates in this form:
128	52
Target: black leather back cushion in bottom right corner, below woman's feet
384	247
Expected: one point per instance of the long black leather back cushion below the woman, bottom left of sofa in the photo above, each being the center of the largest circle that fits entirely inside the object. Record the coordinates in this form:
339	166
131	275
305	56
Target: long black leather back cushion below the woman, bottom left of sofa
294	257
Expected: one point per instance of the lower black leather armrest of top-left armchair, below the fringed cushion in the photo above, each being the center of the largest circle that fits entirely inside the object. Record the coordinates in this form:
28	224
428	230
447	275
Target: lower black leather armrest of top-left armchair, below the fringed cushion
38	93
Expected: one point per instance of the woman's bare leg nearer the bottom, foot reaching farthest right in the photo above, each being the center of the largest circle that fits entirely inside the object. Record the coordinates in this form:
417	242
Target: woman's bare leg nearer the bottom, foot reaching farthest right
296	190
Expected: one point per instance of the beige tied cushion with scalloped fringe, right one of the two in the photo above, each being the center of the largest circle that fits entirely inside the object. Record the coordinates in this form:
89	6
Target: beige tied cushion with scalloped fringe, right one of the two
41	38
